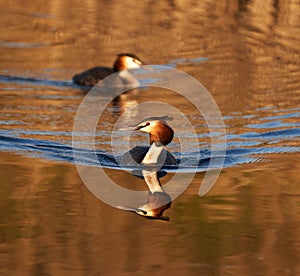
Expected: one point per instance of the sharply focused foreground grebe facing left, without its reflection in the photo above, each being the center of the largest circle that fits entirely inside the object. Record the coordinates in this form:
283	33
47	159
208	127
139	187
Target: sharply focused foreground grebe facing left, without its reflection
161	134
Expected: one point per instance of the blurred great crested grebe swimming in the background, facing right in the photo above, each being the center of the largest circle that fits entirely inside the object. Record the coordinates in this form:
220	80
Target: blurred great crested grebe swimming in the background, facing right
92	76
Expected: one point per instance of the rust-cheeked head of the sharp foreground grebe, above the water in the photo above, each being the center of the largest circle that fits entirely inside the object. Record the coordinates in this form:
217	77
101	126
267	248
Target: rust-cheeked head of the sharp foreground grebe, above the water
159	131
